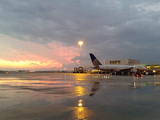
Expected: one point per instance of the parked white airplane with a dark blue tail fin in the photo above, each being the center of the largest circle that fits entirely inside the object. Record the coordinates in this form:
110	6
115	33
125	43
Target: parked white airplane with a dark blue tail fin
114	68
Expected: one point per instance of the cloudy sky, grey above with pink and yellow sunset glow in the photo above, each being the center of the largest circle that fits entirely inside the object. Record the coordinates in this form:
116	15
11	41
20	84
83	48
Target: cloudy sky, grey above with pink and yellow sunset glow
44	35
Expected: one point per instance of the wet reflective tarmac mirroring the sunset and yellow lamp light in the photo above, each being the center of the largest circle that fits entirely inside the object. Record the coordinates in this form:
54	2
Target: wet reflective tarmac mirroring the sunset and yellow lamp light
50	96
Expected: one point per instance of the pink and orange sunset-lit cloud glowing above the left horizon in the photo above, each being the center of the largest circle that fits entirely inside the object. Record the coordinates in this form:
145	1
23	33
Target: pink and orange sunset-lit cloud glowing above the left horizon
36	55
